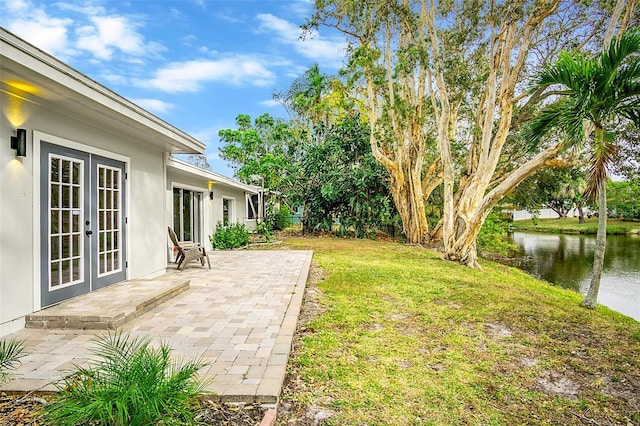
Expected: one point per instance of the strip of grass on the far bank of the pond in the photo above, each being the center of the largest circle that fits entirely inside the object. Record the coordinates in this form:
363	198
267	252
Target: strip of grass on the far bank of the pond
571	226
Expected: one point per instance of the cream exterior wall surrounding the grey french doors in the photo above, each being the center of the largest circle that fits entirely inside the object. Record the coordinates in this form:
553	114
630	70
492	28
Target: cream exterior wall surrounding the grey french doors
20	207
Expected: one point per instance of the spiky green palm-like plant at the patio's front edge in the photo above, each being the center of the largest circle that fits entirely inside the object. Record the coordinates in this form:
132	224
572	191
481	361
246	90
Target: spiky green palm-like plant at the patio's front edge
132	383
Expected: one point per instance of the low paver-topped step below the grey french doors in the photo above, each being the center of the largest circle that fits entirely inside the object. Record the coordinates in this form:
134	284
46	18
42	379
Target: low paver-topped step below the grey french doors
110	307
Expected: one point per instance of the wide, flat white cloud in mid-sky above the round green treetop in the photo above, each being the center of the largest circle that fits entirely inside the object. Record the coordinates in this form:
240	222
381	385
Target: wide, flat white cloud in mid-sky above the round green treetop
190	75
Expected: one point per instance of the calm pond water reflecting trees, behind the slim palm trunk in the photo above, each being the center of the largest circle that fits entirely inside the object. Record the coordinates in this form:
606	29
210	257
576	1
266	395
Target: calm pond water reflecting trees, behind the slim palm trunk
566	260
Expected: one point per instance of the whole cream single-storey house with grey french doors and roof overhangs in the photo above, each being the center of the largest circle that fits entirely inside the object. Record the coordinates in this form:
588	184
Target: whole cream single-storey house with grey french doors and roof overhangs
87	185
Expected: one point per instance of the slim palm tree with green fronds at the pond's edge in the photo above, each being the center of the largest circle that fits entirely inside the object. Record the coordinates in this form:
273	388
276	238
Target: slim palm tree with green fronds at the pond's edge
596	94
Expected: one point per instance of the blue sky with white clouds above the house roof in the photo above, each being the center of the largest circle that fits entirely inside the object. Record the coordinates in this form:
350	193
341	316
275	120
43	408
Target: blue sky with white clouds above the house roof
197	64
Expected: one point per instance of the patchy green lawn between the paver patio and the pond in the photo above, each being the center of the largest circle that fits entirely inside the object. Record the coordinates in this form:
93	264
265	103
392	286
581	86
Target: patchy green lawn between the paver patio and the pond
406	338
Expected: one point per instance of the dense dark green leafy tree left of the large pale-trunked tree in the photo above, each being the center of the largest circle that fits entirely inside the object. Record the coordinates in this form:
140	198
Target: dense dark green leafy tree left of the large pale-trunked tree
346	184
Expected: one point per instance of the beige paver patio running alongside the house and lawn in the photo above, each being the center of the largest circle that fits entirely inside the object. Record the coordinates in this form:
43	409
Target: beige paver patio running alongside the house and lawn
239	316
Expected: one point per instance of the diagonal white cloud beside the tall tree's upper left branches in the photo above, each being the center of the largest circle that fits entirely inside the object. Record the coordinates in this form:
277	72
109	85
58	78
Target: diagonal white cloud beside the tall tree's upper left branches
328	51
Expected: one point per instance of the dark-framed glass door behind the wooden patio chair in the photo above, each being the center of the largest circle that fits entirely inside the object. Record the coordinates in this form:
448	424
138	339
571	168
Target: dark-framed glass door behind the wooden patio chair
187	214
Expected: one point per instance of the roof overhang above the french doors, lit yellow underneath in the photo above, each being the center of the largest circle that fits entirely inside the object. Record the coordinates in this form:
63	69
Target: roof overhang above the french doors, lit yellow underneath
34	76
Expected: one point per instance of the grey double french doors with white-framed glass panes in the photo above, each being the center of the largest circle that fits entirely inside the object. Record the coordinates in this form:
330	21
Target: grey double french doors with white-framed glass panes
82	222
